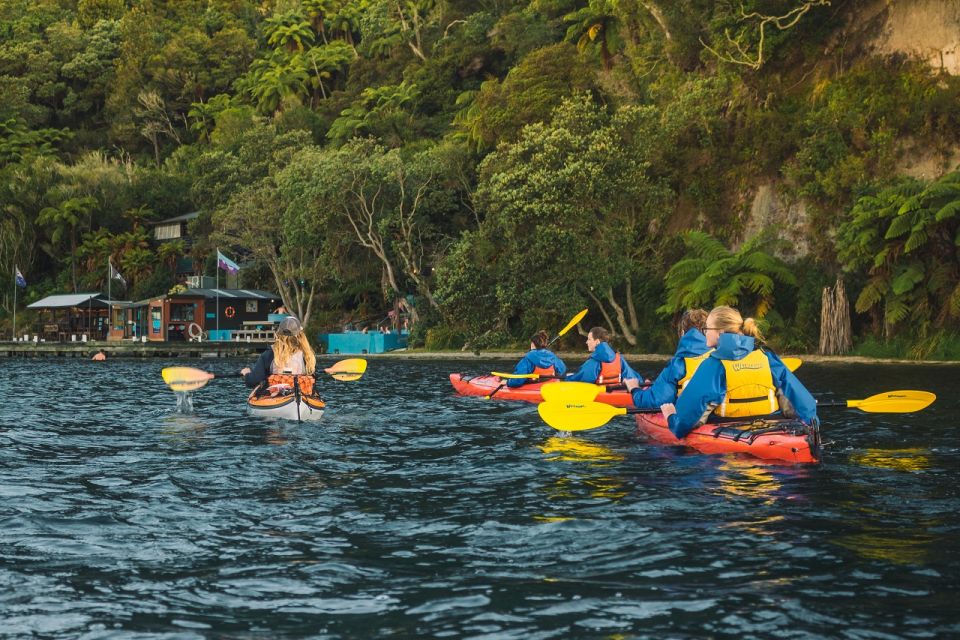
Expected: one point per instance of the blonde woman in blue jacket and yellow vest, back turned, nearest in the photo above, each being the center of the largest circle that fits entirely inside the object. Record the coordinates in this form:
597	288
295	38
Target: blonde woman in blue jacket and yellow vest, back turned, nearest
738	380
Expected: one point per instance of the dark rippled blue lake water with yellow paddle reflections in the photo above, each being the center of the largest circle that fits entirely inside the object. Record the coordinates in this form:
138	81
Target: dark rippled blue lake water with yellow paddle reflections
413	512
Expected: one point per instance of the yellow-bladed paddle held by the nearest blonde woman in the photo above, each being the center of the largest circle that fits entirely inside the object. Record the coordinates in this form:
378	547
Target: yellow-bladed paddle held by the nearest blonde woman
575	414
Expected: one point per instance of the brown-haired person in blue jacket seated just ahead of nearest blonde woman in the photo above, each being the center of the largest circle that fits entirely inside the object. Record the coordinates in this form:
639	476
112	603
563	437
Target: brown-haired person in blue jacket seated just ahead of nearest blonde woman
691	351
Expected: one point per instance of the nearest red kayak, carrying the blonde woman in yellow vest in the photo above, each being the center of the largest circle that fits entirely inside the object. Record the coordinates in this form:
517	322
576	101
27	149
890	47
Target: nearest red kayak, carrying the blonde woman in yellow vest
781	440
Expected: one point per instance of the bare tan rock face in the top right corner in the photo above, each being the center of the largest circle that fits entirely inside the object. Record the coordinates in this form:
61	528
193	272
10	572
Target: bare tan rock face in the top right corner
926	29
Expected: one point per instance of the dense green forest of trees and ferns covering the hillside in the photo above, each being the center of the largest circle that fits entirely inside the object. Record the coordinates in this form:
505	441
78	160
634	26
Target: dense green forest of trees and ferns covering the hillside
492	166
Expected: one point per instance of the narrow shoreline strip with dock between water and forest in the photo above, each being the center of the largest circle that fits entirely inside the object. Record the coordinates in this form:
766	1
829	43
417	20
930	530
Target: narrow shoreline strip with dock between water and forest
235	350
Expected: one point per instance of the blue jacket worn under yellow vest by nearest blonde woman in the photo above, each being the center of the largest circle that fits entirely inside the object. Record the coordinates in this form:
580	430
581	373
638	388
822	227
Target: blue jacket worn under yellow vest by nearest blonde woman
709	385
